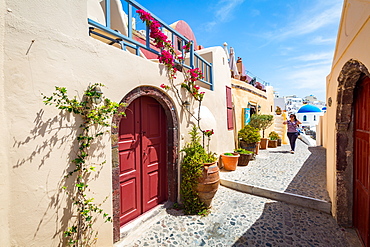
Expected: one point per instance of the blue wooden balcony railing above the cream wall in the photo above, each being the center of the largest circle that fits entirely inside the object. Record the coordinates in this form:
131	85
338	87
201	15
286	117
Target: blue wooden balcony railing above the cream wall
104	31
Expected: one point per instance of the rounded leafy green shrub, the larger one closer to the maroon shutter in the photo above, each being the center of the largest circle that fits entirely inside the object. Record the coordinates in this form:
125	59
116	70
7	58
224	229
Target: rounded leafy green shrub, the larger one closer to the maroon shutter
248	138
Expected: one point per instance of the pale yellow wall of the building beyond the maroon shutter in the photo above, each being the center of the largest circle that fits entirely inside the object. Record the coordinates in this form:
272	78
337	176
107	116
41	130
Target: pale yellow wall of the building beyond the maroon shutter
242	97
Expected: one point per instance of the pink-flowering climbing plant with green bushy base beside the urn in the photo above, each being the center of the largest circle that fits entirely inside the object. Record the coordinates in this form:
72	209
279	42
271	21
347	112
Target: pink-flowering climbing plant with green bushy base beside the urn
195	154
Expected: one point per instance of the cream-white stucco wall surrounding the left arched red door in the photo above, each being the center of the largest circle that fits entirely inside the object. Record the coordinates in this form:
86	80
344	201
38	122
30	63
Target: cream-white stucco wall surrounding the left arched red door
37	140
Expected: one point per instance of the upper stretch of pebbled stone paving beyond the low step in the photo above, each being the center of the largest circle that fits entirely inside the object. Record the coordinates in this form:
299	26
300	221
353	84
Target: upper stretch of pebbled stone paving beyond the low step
302	173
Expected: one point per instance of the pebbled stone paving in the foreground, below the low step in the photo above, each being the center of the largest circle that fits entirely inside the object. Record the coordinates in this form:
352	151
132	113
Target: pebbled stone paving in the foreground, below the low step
239	219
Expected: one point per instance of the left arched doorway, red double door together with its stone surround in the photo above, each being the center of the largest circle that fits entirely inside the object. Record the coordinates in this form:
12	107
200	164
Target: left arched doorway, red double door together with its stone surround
144	155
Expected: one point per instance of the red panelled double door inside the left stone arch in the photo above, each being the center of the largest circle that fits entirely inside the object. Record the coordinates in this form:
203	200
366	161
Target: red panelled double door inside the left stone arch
142	152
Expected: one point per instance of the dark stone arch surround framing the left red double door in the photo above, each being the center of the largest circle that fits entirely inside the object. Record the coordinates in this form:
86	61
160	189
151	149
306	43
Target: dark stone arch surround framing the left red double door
172	148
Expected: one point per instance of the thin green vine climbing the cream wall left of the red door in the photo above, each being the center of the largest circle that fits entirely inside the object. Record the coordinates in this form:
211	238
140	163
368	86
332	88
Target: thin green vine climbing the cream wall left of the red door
95	112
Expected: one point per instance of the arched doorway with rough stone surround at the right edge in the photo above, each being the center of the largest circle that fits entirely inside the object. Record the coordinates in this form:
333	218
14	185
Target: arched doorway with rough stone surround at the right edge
351	147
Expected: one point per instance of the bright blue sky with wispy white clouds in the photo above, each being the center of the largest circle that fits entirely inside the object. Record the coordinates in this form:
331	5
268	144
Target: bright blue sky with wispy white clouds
287	43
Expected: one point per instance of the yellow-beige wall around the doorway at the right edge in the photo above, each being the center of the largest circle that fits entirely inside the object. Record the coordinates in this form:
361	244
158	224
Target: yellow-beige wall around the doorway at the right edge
352	43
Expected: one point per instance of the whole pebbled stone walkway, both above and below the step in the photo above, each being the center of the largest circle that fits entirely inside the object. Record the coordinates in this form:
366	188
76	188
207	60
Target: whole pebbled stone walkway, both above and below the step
240	219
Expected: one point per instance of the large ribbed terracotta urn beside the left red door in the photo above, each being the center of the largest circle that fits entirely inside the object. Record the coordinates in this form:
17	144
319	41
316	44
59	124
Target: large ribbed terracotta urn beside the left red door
208	183
